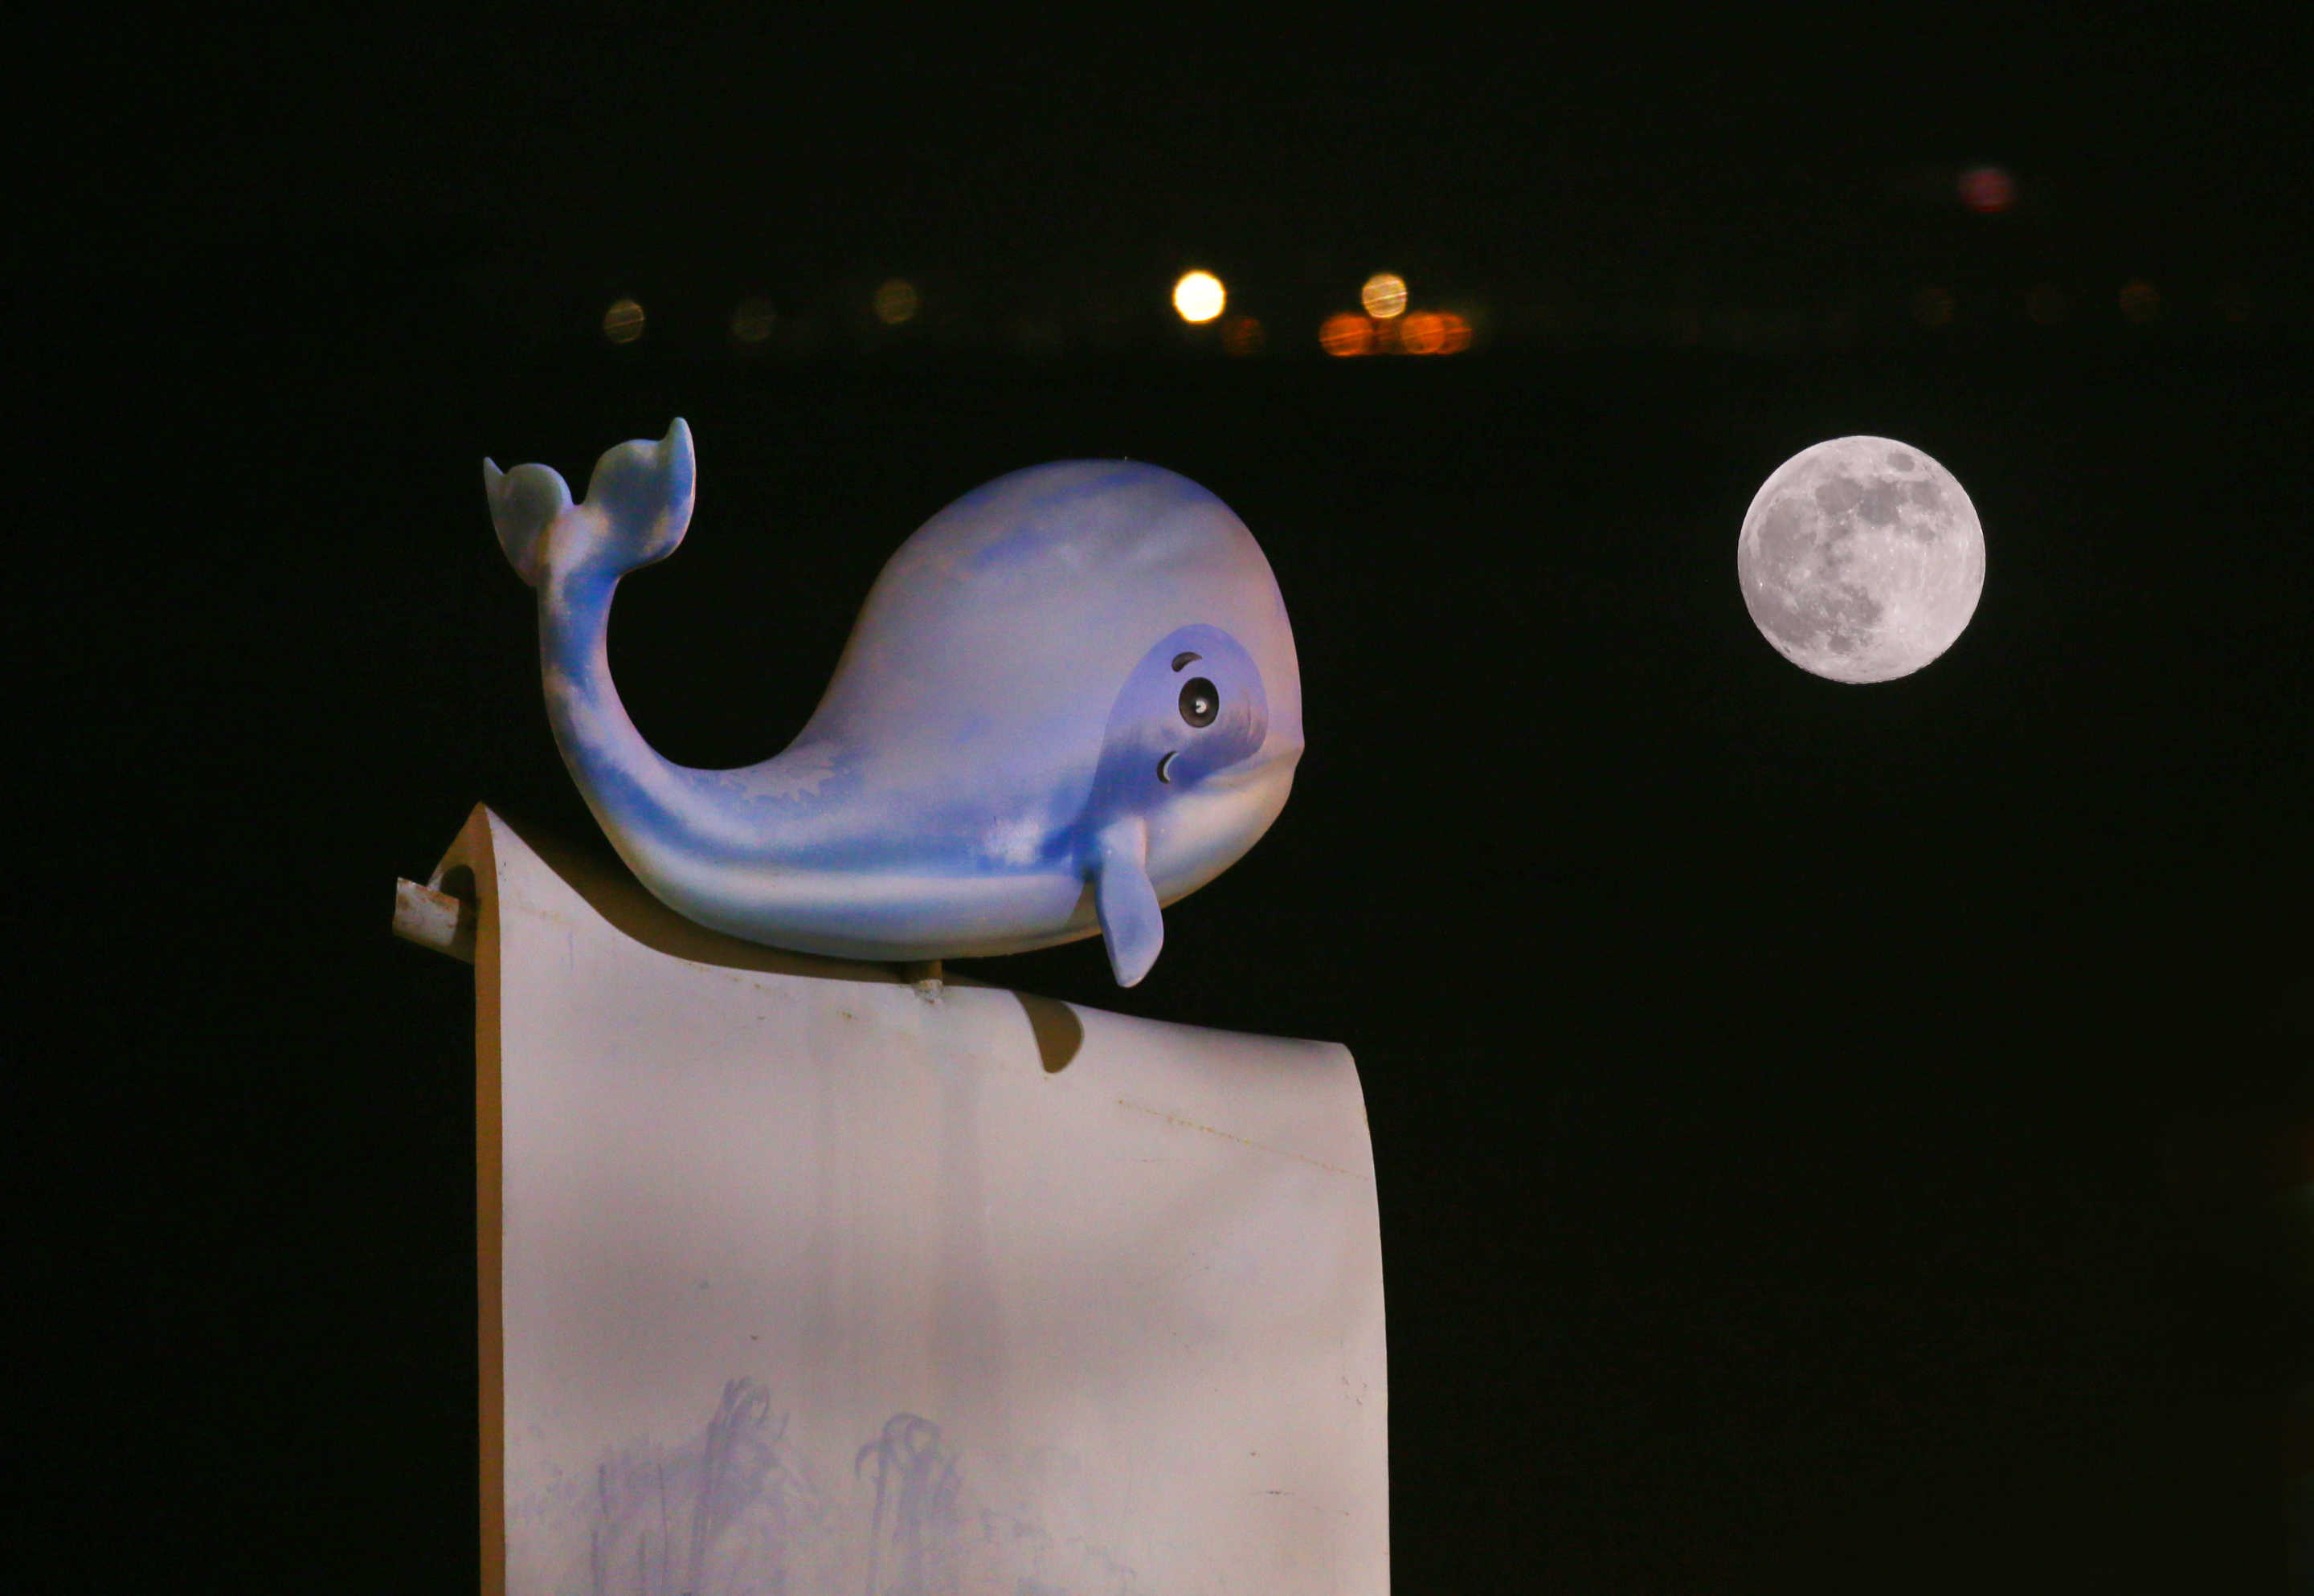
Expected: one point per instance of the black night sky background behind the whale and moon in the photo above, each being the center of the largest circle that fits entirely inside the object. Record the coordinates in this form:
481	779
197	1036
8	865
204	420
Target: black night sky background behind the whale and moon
1829	1137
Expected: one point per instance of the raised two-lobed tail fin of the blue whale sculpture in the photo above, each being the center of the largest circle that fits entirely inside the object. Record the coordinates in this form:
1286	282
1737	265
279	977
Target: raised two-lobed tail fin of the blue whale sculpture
638	508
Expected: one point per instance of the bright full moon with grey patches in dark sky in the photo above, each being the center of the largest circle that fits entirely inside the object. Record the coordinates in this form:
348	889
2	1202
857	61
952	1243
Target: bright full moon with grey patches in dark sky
1862	561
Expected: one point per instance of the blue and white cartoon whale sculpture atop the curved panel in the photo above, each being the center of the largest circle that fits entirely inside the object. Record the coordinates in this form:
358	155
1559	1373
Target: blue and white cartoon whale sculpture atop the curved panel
1068	702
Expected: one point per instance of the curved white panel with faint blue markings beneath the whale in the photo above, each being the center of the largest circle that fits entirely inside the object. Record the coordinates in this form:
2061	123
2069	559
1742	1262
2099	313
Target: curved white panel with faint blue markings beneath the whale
804	1283
